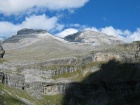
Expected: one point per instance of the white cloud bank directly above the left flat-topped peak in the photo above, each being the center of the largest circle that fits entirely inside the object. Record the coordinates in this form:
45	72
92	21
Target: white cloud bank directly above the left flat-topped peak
34	22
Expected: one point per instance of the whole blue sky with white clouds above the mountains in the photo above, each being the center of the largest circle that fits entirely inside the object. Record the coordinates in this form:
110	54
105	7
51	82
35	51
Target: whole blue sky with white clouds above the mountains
120	18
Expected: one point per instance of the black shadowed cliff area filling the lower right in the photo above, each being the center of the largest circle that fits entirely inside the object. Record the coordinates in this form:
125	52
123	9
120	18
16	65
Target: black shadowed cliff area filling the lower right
114	84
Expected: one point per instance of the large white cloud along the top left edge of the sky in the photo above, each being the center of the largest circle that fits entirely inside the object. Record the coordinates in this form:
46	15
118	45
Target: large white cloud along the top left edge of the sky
9	7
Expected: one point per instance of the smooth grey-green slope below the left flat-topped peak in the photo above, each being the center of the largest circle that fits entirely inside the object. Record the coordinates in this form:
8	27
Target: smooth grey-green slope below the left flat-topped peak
50	49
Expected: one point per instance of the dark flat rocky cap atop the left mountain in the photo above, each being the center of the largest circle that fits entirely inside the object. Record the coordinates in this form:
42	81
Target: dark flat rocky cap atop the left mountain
30	31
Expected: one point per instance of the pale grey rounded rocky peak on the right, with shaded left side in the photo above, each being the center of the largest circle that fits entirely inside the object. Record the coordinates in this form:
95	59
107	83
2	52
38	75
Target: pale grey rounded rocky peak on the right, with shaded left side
96	38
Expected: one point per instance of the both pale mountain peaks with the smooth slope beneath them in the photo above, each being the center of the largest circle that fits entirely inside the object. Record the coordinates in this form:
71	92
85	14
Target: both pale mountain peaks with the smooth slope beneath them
30	45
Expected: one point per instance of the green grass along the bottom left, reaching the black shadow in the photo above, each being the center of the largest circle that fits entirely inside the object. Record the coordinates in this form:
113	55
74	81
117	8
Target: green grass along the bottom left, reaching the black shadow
12	96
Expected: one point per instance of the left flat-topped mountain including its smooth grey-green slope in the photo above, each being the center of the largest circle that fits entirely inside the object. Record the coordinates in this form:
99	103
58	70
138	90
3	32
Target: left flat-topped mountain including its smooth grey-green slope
35	46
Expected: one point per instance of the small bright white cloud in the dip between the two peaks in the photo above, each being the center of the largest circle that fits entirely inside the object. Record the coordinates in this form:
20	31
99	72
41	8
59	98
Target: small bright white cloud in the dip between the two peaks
66	32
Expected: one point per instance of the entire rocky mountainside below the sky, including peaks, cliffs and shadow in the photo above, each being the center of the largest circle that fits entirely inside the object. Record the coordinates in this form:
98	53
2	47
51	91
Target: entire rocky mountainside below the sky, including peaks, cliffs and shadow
86	68
